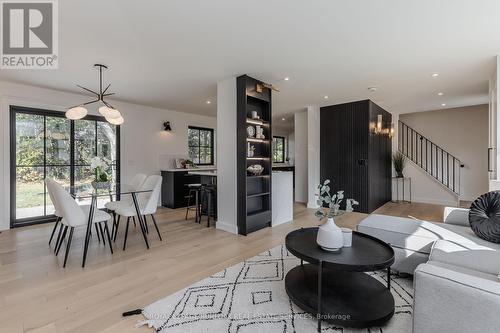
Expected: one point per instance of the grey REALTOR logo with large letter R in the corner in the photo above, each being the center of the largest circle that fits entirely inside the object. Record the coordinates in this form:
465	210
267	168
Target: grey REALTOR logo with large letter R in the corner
29	34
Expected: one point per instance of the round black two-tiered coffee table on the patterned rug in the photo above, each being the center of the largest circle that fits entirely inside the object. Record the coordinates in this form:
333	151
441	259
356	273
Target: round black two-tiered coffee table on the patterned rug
334	287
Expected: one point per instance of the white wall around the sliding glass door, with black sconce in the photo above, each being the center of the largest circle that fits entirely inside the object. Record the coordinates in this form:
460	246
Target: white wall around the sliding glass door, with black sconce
143	140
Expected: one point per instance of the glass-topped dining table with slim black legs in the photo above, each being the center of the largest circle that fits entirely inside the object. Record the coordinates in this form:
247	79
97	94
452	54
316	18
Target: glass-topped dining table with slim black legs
100	190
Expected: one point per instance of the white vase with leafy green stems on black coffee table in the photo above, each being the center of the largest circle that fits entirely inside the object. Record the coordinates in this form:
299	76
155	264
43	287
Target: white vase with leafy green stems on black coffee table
329	234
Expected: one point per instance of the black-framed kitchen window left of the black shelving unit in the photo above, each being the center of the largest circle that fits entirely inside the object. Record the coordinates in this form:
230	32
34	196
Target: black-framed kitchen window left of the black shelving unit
201	145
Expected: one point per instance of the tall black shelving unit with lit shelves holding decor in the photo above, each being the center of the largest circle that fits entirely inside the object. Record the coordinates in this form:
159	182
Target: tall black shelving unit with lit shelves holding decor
253	191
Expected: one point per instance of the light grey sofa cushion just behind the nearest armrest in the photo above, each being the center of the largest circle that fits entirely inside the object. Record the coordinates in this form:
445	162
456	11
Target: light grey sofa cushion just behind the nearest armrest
485	259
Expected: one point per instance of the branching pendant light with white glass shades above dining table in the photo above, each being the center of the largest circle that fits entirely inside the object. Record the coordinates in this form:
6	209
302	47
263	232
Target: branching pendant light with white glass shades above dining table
112	115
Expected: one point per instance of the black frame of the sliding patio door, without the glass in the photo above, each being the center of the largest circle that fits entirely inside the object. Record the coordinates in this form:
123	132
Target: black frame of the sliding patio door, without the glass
14	109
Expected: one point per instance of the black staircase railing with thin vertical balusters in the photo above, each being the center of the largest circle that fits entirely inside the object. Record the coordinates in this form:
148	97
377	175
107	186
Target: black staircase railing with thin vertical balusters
431	158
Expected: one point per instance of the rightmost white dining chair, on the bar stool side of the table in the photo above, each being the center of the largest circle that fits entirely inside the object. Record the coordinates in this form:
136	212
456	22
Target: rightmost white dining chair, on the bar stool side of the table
147	202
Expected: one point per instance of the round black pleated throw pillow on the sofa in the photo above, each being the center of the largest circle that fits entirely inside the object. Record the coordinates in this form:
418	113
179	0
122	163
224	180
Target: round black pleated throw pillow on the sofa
484	216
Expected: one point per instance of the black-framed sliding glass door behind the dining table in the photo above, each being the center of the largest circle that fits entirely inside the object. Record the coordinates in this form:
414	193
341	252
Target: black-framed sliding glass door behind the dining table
44	144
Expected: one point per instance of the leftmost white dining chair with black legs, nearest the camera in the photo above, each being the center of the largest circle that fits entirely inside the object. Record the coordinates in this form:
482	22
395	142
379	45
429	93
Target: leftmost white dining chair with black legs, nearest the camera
74	216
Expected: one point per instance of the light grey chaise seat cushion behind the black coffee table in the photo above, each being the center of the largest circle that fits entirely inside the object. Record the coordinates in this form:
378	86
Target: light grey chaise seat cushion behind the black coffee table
412	234
